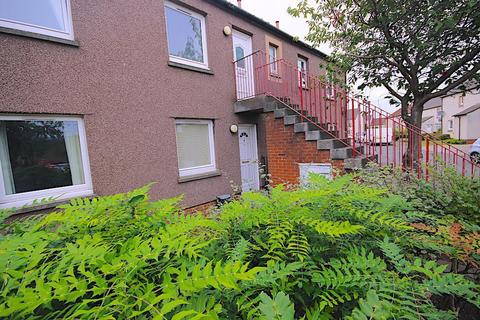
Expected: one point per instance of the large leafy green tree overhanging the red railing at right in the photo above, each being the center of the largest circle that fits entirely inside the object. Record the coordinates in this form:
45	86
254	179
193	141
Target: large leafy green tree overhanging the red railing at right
417	49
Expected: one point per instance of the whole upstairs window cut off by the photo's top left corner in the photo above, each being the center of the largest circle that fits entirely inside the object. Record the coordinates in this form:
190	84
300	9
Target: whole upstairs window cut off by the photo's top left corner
47	17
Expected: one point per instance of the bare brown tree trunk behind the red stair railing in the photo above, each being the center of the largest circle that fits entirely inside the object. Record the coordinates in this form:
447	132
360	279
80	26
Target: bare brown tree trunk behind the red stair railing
412	159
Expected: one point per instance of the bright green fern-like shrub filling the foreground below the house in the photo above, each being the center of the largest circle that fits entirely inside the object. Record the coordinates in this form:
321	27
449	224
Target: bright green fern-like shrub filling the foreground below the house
337	249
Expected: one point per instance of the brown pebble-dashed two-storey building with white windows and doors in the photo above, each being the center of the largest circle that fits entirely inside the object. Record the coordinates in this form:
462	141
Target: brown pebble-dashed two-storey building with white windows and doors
101	97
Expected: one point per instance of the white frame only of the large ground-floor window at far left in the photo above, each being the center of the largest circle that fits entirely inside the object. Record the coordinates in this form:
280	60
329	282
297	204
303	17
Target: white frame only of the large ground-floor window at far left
61	193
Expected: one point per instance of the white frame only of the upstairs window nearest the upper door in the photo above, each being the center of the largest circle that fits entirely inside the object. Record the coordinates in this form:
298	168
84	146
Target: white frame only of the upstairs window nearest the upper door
203	26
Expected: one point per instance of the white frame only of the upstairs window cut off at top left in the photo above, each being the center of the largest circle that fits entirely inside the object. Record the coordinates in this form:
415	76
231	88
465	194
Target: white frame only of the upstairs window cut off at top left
24	26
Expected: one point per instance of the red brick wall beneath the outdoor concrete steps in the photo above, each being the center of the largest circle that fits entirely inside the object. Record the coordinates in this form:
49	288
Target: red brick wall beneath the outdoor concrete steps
286	149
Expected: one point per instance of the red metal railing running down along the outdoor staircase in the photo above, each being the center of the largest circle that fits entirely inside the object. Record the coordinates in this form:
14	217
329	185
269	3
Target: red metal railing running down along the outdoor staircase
369	130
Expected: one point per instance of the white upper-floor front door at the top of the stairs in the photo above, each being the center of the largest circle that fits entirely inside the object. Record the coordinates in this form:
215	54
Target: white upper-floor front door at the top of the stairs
242	47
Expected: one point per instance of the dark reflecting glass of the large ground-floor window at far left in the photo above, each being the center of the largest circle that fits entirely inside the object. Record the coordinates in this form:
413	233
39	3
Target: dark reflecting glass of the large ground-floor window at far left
38	155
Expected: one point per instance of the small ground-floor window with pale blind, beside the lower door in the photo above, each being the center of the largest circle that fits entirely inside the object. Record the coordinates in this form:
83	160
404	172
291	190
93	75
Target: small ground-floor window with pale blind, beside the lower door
195	146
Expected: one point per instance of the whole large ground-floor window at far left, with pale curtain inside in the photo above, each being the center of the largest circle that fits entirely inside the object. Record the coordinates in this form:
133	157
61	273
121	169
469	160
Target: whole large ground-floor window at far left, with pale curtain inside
42	157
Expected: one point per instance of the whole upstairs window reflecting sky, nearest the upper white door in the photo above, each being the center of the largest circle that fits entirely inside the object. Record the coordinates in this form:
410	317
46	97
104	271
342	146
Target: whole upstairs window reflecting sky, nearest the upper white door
186	36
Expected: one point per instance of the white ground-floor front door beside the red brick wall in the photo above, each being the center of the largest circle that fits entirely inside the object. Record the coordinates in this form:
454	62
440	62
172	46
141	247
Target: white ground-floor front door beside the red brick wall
247	135
